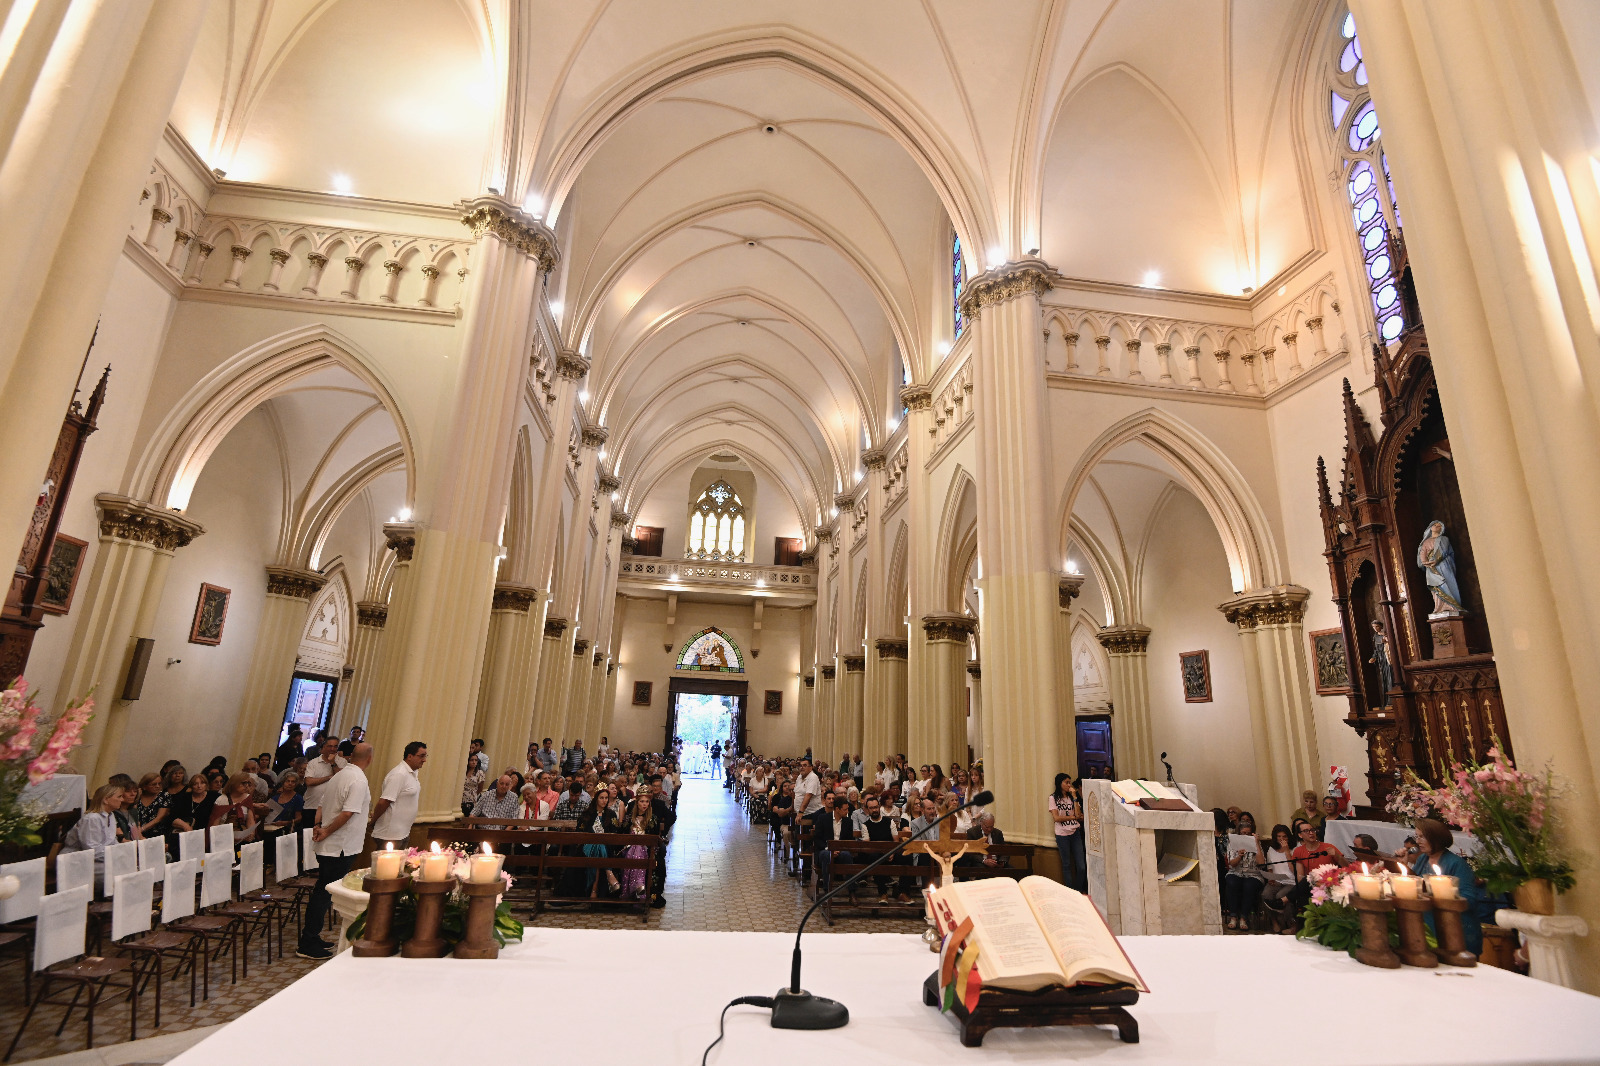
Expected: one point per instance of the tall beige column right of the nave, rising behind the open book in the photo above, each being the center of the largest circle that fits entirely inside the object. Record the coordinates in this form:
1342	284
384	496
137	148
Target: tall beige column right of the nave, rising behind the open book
1015	543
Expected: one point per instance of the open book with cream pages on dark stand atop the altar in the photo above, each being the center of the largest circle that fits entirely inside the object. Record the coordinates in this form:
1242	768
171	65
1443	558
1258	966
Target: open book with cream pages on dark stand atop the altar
1034	934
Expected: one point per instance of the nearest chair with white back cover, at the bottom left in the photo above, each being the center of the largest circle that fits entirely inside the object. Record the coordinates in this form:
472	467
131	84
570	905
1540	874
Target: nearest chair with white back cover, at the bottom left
60	936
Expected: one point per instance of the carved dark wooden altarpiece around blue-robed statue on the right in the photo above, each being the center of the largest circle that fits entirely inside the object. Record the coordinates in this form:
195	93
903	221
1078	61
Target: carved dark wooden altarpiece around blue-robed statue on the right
1446	702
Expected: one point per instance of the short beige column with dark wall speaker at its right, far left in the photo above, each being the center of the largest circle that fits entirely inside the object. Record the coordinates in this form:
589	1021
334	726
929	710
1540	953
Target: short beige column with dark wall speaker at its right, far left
116	606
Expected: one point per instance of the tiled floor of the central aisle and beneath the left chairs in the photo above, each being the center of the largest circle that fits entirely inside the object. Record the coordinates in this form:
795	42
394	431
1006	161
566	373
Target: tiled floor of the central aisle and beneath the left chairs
721	876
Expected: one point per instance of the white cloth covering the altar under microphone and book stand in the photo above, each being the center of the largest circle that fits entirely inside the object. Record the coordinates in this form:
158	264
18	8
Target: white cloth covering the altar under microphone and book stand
665	990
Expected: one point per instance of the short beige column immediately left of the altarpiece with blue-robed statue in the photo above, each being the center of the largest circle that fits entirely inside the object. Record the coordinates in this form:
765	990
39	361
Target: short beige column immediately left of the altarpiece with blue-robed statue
1278	683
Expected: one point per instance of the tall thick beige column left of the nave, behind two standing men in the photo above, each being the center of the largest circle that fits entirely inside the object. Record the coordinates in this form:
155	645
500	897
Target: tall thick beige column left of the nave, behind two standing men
463	500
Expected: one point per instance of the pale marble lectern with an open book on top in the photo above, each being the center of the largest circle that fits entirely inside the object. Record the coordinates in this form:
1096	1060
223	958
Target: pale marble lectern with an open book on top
1124	848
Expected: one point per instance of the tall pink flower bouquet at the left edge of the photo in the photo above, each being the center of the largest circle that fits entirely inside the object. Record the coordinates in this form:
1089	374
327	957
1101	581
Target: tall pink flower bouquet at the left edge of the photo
30	755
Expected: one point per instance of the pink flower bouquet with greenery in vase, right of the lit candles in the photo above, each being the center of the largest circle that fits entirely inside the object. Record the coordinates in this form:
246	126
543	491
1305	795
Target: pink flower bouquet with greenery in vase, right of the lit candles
1511	816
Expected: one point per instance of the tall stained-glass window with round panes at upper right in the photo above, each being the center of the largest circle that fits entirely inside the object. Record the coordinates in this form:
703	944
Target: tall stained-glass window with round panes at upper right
1366	172
